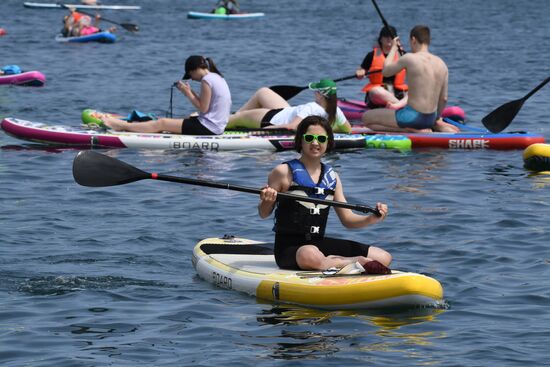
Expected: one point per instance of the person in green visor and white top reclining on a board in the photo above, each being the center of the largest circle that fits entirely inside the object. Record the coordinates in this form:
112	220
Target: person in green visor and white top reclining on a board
267	109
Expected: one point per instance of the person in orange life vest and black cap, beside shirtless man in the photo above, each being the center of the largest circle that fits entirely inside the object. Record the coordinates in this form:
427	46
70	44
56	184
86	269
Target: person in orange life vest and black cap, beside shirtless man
382	91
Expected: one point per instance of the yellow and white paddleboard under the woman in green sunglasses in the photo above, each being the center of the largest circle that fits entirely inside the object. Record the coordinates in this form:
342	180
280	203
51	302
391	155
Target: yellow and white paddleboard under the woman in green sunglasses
249	266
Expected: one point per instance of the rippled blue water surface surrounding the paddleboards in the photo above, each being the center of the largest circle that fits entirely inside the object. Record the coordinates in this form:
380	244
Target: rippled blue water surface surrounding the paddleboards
93	277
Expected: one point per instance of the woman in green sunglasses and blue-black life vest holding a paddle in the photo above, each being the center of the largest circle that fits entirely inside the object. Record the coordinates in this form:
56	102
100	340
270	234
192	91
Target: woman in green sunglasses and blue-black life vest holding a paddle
300	241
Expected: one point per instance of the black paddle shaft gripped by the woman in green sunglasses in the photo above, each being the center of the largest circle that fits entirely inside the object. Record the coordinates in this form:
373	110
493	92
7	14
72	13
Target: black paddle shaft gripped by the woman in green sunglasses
251	190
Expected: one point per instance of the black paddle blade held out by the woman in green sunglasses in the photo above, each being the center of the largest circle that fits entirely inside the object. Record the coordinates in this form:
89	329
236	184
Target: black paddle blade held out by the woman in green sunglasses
98	170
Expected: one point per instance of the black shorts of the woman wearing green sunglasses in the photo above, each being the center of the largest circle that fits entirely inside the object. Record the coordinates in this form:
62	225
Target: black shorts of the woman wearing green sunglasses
287	245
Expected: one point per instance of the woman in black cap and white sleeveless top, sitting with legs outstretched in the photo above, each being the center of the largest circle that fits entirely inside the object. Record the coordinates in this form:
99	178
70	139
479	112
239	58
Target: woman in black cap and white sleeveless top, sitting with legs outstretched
213	103
